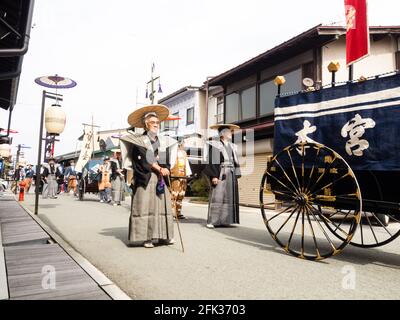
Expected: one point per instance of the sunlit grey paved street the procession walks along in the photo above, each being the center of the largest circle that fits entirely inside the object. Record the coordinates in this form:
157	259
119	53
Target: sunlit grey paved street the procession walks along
242	262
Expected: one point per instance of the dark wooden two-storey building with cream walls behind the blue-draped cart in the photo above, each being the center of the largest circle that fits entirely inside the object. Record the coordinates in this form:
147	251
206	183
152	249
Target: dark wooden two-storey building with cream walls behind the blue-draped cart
245	95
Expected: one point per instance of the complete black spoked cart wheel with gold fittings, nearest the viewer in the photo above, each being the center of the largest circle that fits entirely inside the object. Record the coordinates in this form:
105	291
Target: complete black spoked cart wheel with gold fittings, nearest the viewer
300	191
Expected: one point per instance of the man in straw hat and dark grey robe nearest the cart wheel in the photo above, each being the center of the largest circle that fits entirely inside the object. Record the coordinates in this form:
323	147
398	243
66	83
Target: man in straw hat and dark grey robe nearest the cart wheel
223	170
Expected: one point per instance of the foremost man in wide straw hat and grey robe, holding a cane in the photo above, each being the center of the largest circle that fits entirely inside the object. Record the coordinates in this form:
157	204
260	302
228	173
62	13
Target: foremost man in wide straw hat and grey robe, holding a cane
150	156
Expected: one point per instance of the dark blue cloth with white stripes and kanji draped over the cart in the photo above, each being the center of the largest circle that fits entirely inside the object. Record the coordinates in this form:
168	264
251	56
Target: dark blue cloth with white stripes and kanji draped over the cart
360	121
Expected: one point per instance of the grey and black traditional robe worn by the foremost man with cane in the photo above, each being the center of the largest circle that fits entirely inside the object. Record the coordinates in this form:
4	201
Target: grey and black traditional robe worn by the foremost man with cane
151	214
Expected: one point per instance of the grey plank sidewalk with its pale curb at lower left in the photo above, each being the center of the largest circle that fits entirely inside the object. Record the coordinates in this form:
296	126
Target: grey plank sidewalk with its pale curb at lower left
35	266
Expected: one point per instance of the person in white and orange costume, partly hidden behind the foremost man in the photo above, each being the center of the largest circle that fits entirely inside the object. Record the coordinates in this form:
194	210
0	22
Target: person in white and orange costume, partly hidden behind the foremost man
178	186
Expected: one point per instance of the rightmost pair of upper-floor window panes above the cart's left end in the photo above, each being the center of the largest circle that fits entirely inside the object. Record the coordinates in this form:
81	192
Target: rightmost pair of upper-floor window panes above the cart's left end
268	90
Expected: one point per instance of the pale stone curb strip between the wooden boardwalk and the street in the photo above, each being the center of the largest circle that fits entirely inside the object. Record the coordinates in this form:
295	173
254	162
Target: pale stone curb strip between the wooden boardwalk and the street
104	283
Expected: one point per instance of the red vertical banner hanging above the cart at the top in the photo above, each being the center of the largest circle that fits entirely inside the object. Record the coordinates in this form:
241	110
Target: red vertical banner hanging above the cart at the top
357	35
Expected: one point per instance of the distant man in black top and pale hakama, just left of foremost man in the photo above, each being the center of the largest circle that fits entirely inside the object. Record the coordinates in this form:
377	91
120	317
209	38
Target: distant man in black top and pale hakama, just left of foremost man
117	179
